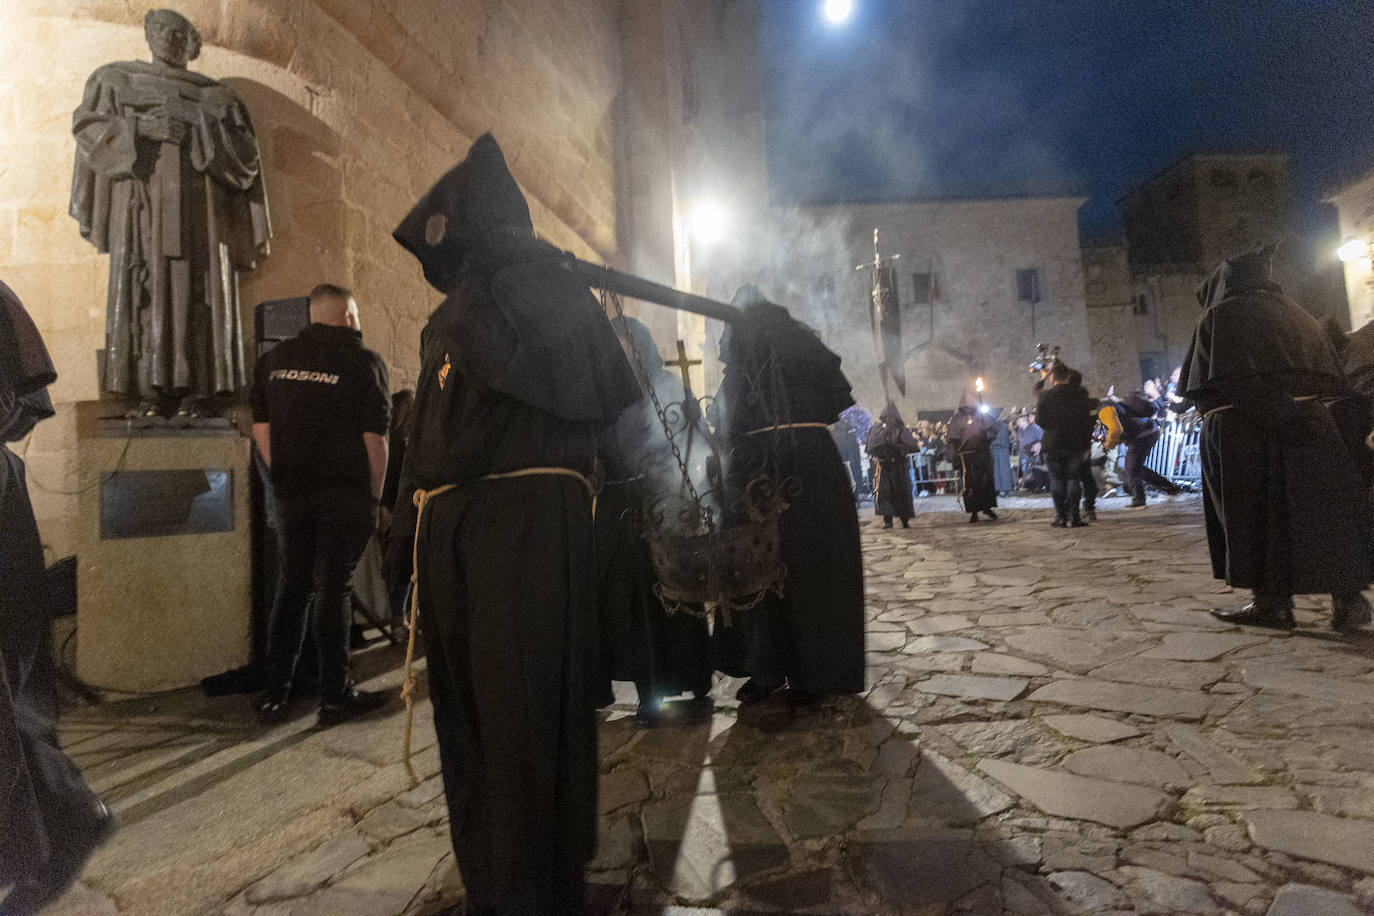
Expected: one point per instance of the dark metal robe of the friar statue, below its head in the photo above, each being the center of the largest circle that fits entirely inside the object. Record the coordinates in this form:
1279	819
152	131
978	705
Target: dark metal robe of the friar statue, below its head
178	222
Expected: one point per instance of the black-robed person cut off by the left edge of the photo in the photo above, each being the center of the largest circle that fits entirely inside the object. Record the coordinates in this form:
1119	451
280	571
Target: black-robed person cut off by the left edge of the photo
50	822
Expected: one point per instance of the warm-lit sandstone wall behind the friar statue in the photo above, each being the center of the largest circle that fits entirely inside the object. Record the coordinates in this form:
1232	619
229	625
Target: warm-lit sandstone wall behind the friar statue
361	105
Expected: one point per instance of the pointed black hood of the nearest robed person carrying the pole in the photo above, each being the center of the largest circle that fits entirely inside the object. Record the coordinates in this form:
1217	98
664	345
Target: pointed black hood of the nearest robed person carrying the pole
477	201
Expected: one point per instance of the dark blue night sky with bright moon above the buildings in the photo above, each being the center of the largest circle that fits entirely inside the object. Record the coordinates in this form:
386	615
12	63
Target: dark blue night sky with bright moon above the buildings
973	98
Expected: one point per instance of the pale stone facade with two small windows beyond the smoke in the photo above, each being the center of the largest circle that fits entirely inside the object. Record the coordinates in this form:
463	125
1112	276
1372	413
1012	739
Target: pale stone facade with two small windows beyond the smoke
976	326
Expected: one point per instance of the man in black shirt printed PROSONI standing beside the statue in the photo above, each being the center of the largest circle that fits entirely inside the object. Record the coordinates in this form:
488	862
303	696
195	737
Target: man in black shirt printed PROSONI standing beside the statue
321	414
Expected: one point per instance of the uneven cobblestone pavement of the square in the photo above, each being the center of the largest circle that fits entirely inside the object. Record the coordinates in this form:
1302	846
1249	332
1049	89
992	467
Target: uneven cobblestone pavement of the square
1053	726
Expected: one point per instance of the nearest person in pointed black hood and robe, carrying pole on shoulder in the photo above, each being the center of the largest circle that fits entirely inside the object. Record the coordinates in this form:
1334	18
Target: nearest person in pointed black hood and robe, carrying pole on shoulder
520	371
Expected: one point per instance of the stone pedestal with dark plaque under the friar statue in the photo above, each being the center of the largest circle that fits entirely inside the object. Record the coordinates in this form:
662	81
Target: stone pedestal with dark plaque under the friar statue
166	551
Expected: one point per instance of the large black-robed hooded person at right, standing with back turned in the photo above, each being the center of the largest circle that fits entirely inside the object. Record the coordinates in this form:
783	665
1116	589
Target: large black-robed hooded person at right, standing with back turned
1285	510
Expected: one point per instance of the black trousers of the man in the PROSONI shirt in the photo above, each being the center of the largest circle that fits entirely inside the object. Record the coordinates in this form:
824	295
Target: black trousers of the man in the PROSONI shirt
322	538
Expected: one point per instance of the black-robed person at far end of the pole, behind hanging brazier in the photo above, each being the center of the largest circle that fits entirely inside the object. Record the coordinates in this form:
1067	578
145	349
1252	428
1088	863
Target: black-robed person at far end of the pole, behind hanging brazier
781	391
